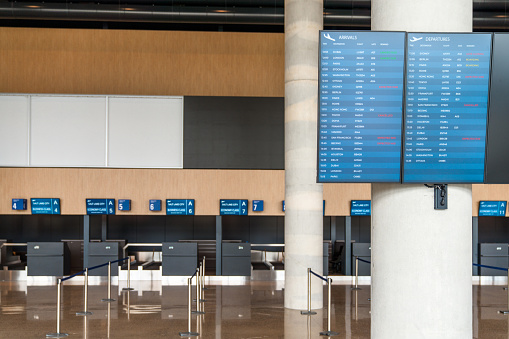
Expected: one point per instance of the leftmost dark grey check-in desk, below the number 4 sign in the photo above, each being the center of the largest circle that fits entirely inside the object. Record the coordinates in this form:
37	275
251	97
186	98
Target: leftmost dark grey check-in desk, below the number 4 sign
48	259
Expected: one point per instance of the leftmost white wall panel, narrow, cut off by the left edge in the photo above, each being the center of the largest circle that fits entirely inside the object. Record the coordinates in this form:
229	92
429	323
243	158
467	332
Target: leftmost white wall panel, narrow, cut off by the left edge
14	116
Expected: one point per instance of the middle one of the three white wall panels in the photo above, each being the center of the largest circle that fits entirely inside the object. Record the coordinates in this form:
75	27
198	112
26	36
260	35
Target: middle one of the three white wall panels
68	131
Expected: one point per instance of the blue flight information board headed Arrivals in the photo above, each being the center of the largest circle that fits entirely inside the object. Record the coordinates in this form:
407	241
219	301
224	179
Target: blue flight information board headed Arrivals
360	106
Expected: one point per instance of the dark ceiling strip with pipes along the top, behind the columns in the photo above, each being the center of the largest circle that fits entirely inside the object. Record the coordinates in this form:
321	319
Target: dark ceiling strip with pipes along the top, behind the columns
489	15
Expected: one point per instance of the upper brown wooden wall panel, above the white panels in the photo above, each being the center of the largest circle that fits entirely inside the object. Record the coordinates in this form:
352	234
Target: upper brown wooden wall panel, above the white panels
79	61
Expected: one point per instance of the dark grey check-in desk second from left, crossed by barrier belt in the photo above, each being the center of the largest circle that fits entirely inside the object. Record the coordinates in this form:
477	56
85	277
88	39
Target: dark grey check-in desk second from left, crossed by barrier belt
100	253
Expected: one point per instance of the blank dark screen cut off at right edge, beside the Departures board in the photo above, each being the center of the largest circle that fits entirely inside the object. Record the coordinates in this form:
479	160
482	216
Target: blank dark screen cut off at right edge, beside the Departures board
497	155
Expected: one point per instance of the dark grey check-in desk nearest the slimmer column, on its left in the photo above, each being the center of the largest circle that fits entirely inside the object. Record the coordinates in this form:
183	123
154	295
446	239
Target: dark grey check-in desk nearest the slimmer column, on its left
236	259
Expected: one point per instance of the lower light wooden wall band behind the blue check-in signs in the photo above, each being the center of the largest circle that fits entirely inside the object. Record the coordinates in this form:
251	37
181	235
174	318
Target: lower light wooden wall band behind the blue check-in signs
74	185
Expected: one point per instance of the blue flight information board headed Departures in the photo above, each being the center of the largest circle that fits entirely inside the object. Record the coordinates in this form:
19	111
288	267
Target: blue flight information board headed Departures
446	107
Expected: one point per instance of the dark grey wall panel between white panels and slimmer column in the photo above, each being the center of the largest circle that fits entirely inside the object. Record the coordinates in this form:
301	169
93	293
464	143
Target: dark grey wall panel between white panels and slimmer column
234	132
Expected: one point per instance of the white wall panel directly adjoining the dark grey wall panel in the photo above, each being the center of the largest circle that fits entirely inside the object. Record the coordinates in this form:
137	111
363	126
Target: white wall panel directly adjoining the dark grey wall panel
145	132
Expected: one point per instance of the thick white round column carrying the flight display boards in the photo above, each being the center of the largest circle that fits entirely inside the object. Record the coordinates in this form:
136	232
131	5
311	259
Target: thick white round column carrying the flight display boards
421	257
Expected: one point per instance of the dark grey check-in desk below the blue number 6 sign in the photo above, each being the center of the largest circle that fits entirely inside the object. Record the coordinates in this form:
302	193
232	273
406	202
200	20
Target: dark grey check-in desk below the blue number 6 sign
180	258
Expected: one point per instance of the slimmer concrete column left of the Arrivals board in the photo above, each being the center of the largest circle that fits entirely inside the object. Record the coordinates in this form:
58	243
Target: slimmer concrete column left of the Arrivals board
303	196
